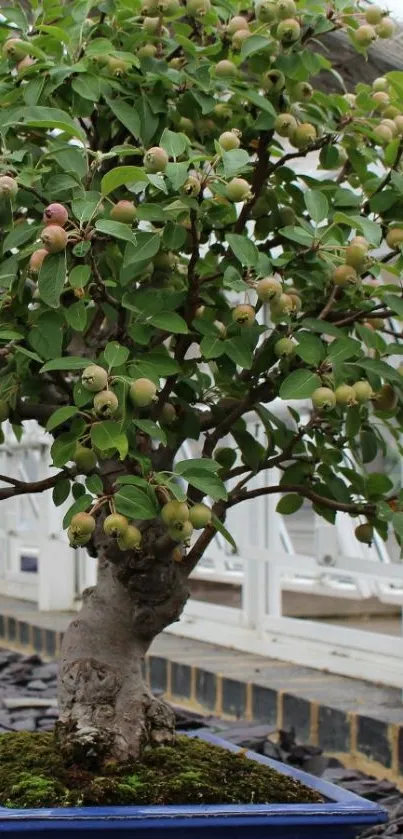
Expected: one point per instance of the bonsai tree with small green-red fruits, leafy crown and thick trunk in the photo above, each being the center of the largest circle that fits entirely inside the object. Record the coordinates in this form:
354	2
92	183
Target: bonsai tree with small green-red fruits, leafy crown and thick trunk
167	272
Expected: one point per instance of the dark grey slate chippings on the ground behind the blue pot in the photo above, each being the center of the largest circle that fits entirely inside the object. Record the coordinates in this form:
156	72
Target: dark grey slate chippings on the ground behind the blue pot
28	702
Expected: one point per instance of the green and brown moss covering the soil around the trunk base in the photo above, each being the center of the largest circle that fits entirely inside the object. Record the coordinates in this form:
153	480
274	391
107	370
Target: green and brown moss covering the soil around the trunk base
32	774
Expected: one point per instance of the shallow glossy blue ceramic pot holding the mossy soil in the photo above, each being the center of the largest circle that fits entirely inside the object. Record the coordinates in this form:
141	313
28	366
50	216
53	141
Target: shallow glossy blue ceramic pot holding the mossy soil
342	816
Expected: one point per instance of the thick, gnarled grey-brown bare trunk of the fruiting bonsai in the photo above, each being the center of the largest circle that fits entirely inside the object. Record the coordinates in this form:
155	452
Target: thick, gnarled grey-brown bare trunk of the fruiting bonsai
106	709
